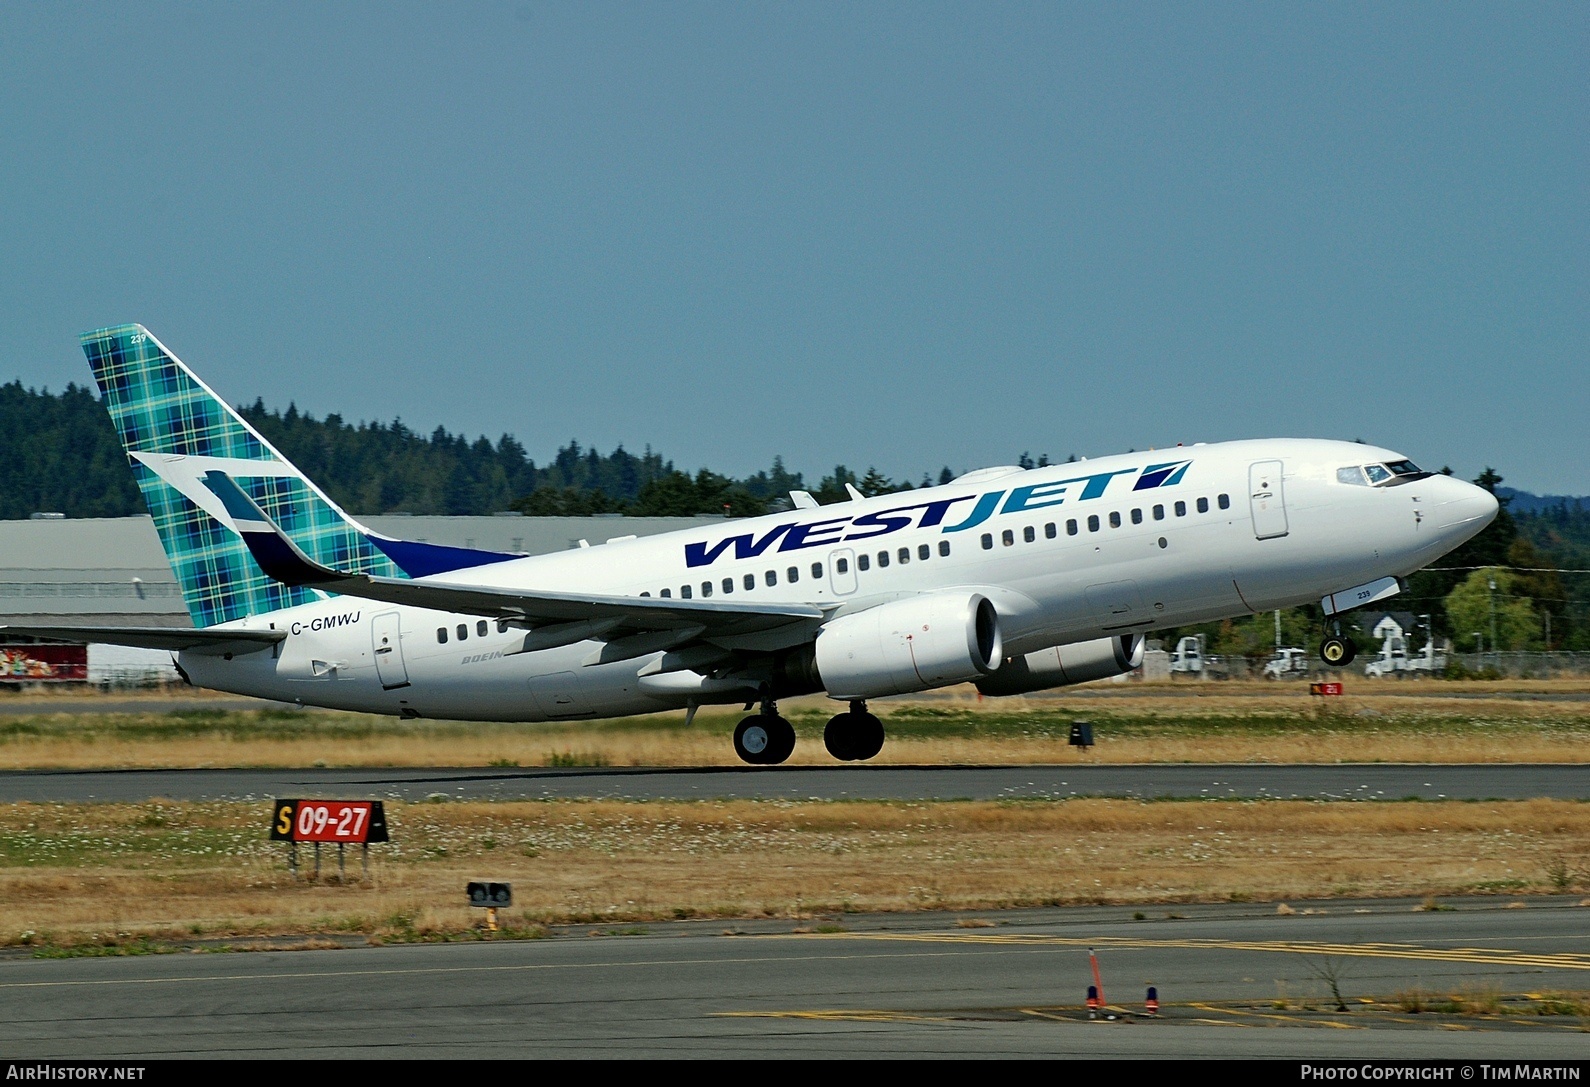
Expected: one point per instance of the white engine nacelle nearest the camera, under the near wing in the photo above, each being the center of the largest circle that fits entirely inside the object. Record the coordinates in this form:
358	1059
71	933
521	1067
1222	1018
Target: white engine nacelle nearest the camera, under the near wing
910	646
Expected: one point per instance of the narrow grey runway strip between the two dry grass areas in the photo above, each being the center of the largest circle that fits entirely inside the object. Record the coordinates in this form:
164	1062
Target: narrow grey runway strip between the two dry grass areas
1375	781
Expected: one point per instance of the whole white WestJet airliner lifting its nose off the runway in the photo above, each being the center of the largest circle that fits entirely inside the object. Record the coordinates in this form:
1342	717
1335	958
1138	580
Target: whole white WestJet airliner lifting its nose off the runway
1015	581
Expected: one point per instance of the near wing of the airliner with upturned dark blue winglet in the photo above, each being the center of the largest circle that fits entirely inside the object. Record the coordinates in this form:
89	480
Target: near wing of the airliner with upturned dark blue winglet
279	557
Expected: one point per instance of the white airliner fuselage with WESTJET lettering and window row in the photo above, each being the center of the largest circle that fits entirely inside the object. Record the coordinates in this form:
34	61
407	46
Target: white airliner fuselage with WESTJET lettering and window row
1068	554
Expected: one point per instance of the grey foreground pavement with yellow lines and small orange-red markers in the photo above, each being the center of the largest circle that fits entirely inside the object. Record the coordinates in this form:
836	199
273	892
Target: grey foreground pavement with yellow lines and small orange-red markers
1235	981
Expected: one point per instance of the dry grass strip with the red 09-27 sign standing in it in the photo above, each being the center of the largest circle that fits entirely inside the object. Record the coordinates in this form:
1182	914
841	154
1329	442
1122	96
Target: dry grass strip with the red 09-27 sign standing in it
118	875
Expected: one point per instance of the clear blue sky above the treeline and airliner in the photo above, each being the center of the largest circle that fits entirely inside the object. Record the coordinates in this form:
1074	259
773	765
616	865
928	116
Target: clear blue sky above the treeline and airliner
896	236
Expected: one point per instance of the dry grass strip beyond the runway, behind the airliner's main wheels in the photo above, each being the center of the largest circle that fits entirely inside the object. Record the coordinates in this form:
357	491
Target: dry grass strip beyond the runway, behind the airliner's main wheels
1395	722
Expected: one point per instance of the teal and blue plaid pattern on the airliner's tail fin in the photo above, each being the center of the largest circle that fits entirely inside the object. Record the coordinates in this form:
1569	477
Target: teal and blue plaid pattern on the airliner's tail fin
176	430
